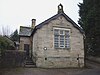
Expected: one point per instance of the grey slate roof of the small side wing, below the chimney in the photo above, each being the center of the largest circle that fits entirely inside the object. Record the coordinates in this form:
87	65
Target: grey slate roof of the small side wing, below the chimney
25	31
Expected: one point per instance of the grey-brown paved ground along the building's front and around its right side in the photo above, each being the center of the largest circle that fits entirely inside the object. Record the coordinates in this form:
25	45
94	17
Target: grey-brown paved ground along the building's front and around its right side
94	69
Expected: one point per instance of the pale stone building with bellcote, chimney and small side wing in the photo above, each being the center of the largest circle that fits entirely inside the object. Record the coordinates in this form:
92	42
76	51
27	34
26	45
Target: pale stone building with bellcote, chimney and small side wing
58	42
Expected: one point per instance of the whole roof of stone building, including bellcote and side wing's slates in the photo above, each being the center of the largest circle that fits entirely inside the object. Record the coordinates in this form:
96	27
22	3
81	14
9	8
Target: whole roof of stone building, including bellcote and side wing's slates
28	31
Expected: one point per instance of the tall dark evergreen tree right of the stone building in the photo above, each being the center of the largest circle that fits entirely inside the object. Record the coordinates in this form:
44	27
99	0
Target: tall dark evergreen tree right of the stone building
90	21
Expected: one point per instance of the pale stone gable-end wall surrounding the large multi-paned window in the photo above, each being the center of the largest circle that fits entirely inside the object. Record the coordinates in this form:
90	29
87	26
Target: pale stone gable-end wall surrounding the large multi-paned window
58	58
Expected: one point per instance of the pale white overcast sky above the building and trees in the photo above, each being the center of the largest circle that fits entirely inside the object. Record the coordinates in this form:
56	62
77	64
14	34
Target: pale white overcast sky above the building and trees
16	13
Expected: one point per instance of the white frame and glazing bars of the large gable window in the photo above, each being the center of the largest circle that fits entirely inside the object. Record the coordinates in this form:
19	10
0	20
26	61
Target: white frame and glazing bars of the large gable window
59	35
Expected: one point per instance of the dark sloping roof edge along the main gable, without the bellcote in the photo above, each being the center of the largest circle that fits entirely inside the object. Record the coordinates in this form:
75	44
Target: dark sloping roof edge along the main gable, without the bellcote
55	17
